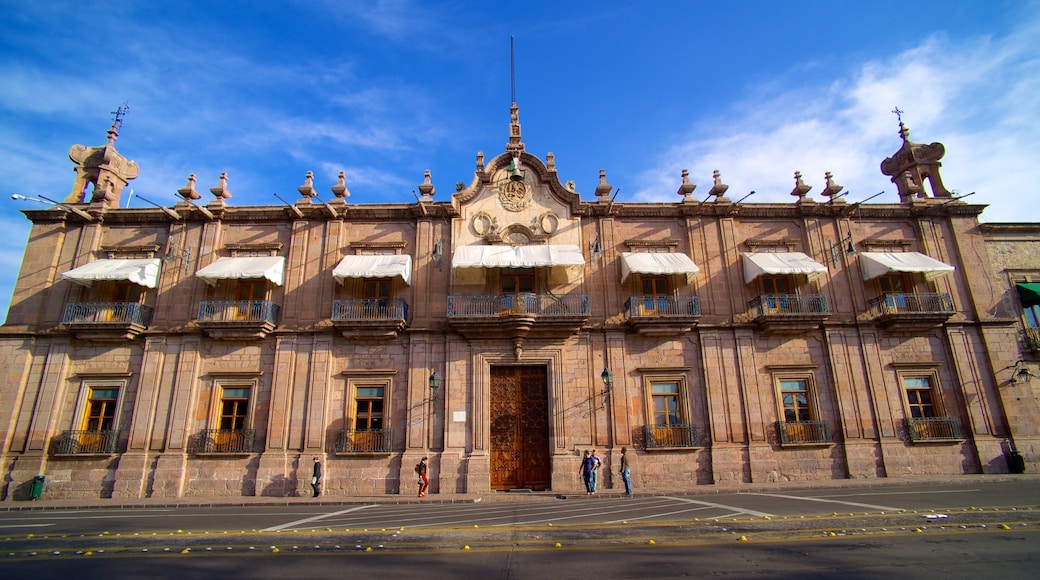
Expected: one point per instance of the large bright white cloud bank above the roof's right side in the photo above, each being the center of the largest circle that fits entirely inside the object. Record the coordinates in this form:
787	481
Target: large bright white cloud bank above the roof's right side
978	96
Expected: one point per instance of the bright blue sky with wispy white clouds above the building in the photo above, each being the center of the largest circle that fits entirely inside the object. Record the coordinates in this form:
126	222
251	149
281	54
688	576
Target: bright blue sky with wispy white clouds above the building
386	90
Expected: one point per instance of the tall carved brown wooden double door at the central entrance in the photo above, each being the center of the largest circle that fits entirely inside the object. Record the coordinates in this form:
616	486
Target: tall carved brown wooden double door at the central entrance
521	458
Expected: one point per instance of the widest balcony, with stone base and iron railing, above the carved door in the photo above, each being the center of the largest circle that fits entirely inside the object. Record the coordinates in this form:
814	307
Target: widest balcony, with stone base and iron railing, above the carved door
518	317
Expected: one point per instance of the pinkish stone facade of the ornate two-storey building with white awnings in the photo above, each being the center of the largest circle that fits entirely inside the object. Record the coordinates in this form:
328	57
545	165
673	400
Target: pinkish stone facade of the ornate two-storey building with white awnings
212	350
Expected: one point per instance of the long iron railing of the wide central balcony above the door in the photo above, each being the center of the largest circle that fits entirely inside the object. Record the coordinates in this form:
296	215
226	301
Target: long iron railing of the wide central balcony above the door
531	305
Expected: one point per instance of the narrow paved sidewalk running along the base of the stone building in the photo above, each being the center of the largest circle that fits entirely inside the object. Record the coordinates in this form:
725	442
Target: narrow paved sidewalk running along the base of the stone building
517	496
